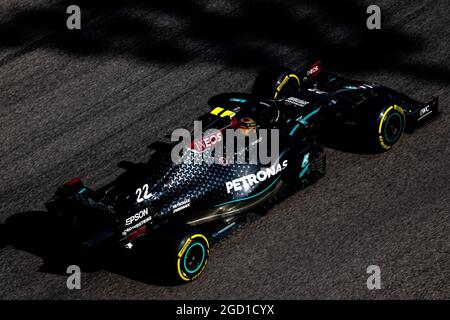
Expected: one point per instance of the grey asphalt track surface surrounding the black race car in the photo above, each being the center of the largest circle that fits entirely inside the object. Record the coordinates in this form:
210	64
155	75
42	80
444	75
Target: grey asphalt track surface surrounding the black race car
76	103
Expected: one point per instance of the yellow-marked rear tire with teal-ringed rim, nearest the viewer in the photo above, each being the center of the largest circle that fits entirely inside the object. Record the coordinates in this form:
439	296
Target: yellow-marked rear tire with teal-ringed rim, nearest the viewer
185	251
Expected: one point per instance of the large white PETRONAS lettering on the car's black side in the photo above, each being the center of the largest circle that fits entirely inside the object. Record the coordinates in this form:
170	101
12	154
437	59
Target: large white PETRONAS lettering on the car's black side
245	182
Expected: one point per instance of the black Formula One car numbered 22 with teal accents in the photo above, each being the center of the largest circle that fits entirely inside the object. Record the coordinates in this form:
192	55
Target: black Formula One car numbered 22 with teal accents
186	206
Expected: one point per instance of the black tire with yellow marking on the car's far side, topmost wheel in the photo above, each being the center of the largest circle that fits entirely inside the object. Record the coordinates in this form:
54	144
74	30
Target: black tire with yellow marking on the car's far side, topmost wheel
276	82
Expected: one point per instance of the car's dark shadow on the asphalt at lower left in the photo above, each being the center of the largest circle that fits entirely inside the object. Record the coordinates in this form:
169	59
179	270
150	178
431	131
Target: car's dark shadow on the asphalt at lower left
32	232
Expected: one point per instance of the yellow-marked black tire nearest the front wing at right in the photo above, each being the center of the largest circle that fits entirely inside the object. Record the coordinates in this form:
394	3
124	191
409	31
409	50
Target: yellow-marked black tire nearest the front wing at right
385	127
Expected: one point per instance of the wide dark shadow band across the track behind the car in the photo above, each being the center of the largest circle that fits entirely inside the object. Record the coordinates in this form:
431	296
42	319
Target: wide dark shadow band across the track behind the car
241	34
